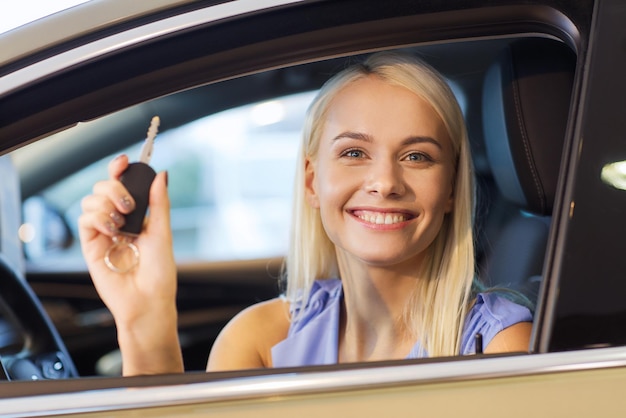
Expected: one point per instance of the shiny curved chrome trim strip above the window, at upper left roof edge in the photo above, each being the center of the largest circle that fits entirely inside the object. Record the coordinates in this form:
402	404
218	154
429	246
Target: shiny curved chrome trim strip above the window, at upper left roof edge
116	42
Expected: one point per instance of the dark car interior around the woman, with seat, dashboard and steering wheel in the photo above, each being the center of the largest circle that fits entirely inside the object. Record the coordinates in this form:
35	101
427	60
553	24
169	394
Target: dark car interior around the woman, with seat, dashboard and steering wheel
515	93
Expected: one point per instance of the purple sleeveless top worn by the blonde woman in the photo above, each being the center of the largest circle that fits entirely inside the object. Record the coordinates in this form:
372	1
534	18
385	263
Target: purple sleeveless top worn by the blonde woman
313	338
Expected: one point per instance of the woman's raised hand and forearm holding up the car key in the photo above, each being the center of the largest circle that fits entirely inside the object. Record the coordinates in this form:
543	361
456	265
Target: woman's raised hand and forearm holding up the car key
143	300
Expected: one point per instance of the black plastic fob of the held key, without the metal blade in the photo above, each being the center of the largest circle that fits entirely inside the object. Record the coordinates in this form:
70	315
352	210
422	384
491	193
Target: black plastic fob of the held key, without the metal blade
137	179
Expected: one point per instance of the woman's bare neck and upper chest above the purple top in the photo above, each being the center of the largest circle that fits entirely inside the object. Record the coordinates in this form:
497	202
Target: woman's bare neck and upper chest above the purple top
372	325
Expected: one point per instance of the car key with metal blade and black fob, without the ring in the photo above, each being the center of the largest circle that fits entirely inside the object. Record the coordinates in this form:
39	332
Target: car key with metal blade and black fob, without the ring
137	179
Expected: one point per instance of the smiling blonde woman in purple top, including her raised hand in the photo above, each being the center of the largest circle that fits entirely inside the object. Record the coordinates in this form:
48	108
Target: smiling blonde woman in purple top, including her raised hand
381	261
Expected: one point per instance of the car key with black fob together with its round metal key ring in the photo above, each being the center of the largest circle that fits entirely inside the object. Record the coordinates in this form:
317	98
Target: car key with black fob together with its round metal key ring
123	255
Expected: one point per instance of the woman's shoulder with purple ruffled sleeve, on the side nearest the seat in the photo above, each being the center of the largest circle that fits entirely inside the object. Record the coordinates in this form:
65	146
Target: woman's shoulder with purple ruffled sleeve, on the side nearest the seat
504	324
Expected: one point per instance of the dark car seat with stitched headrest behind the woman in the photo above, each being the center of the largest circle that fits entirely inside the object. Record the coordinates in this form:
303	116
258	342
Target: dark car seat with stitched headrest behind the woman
526	101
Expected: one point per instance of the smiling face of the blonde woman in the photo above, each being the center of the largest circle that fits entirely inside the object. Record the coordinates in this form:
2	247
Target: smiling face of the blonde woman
383	175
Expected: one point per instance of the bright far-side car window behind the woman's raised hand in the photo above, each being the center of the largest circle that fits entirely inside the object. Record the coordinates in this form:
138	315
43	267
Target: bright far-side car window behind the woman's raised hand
230	184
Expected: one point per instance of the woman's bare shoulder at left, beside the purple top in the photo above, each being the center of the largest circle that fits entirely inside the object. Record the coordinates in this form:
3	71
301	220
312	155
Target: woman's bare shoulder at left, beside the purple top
246	341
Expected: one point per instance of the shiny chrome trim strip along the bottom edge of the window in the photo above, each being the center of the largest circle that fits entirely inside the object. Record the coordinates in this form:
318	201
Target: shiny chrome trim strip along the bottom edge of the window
256	387
